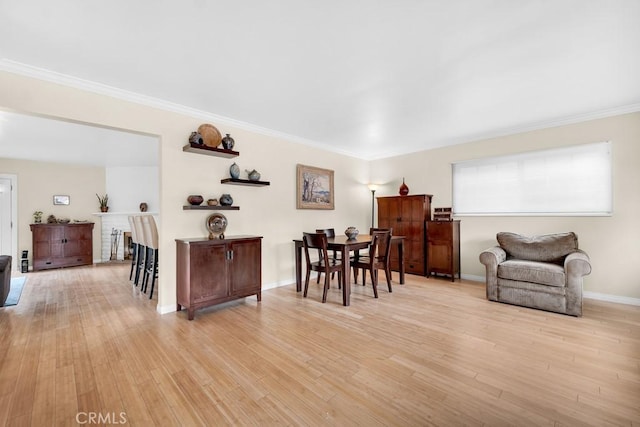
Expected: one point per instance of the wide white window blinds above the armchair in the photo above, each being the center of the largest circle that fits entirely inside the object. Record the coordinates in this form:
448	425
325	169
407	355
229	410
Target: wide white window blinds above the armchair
572	180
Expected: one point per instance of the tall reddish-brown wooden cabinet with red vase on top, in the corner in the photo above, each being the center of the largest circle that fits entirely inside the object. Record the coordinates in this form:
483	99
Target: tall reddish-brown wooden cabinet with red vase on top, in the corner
407	216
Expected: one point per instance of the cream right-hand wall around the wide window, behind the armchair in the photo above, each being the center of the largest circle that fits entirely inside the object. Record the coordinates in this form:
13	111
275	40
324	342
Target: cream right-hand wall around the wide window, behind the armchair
611	242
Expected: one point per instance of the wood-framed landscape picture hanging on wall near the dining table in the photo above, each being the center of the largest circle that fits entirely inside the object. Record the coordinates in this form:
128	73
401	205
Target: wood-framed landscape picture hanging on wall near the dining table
314	188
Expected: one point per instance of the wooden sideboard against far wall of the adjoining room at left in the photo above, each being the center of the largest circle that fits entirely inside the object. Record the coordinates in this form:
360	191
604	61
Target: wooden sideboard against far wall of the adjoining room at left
62	245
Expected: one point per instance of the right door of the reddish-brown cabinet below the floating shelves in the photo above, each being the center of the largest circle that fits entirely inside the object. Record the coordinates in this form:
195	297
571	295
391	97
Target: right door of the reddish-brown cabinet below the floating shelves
245	267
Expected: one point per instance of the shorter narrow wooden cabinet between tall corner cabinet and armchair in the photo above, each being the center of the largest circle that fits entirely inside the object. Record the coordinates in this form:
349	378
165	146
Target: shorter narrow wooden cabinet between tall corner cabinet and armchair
443	247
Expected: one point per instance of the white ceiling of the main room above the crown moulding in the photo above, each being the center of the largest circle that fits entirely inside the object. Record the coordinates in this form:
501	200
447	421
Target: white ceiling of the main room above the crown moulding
370	79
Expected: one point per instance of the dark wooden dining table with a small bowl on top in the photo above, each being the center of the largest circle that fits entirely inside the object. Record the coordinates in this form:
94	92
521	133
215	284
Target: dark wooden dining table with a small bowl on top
345	245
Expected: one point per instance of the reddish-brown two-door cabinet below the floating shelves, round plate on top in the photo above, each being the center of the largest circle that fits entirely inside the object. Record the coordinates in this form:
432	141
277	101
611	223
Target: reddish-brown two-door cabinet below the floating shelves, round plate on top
214	271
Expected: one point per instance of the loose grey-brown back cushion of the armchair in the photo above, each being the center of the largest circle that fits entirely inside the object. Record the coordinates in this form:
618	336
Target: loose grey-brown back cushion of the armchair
545	248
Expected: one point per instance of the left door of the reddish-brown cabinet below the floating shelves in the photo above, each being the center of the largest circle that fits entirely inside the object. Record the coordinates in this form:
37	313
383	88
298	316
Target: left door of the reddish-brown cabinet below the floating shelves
208	267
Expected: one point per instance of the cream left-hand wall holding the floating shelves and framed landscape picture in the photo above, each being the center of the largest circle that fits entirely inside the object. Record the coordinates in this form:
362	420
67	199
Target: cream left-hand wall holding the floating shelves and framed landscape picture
266	211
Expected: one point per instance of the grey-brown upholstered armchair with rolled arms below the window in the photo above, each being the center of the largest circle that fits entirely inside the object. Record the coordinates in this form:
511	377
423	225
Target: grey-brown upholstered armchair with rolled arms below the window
543	272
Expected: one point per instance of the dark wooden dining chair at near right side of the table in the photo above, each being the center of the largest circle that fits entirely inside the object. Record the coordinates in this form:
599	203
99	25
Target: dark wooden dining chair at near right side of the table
378	259
